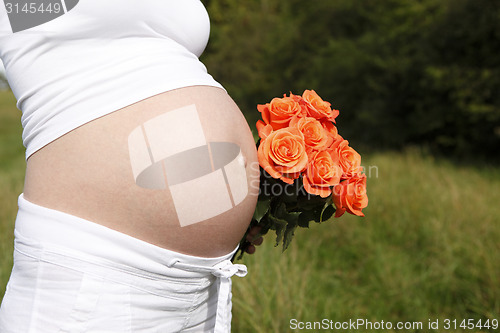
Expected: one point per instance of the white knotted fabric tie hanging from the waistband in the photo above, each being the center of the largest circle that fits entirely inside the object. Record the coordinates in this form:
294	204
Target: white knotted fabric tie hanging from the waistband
223	271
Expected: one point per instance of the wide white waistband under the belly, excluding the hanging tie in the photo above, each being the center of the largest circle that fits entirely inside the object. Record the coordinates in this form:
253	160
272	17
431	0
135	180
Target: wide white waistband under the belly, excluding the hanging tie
49	226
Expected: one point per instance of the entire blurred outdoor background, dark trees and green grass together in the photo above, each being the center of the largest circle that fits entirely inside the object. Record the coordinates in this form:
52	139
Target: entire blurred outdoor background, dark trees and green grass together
417	85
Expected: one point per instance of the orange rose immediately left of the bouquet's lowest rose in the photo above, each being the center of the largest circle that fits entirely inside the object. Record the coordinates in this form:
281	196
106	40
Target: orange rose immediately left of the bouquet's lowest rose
323	171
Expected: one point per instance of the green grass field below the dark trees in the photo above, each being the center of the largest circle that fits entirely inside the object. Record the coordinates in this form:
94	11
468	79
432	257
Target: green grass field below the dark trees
428	249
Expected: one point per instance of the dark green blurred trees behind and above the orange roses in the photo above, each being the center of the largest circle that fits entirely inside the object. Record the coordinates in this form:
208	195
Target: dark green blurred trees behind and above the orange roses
401	72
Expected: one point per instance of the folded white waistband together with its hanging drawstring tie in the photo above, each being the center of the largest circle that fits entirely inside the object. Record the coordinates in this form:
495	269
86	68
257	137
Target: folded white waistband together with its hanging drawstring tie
57	230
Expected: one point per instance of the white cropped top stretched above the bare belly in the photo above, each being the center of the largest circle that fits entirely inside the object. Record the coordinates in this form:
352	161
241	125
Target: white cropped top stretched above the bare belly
70	64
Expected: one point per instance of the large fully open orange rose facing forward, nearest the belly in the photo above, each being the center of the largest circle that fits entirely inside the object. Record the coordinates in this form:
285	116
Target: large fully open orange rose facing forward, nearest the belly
282	154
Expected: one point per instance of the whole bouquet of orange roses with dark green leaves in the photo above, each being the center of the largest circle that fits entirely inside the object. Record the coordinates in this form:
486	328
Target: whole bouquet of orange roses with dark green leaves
309	173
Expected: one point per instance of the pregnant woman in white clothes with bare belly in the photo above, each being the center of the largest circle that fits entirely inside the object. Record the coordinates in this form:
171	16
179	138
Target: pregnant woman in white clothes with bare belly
140	178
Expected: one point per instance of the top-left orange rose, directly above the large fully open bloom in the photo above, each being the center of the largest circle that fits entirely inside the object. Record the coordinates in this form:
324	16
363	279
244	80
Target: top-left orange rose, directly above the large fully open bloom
280	111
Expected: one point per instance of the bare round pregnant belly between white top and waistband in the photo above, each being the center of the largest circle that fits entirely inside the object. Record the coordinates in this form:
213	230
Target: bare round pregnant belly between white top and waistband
178	170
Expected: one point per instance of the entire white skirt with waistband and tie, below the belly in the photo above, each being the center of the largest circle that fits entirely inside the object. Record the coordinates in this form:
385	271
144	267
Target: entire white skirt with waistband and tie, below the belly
73	275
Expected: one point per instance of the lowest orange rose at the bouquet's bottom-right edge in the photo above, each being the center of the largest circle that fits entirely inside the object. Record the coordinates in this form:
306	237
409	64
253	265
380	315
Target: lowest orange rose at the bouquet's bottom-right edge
350	195
